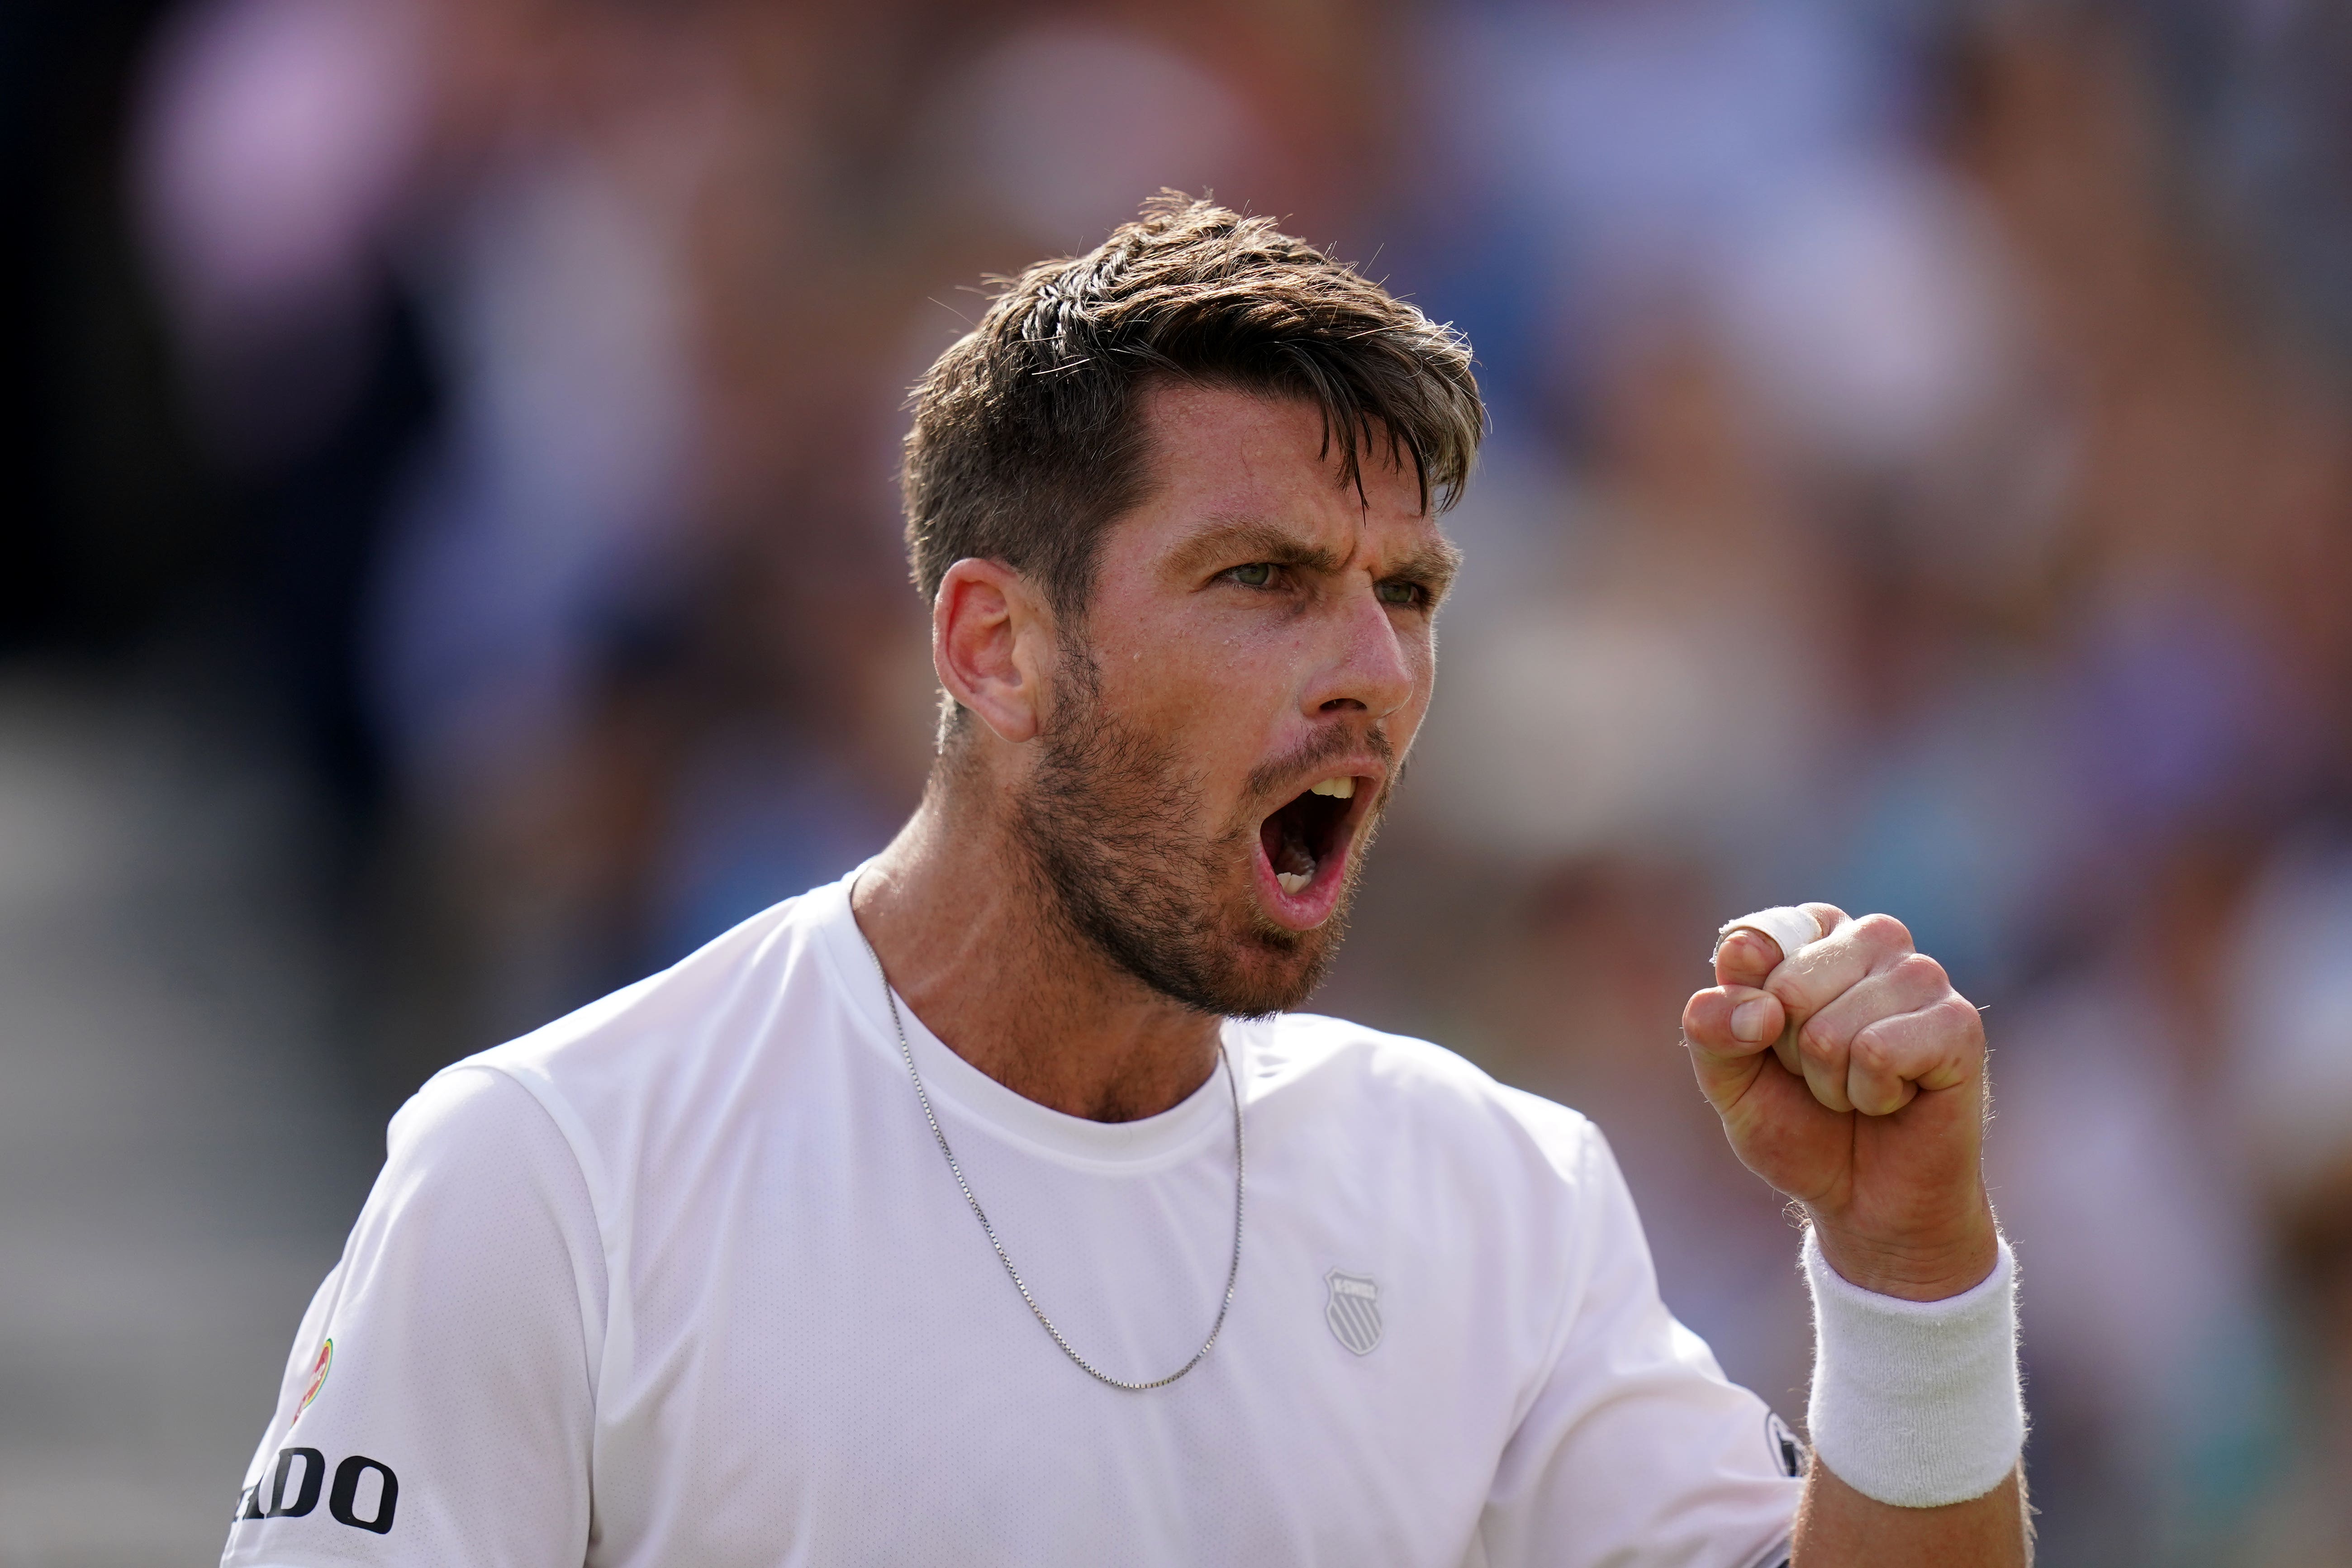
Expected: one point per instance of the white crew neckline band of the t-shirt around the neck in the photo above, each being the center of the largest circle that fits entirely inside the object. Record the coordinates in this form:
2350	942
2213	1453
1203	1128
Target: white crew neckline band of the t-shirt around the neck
963	1092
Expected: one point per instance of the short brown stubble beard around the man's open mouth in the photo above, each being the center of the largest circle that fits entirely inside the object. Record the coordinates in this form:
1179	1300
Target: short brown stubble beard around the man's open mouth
1109	833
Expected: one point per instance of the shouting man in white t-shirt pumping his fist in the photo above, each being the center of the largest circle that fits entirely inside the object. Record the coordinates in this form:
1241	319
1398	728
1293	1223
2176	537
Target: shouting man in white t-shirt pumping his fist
991	1207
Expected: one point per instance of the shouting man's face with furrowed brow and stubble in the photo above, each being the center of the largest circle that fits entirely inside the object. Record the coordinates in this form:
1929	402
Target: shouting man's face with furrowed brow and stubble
1229	721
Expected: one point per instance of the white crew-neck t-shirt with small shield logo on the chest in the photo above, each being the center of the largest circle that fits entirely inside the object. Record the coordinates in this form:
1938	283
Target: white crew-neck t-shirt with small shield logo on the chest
686	1280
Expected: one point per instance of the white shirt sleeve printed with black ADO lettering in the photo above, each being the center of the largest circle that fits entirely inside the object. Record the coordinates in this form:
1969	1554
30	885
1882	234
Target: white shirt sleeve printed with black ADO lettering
441	1398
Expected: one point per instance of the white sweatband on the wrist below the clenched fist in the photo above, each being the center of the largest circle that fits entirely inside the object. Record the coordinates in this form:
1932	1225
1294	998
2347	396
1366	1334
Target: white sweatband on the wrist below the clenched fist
1916	1405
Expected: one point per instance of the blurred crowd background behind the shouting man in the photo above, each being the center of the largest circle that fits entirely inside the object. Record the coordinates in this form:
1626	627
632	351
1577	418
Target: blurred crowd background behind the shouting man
450	568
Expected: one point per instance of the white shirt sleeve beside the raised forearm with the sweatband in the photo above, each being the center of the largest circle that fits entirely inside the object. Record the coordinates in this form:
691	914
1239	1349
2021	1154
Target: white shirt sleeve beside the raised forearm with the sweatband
1636	1449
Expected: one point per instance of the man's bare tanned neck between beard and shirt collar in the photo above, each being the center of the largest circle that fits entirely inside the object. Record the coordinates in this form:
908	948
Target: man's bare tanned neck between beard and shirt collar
973	944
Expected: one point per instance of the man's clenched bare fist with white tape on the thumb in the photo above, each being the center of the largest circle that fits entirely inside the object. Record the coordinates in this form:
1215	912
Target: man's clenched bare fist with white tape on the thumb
1852	1078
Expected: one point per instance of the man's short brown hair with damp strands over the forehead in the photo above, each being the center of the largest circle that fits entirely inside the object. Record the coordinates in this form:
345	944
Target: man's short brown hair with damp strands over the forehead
1027	438
